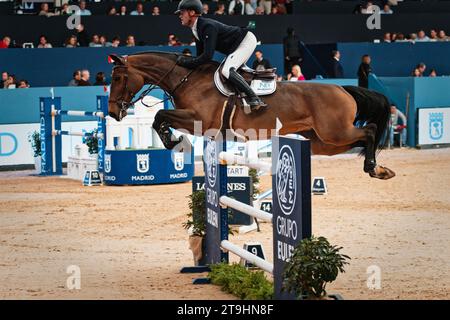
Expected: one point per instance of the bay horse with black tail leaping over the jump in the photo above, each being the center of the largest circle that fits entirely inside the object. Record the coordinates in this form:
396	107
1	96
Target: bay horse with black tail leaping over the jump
334	118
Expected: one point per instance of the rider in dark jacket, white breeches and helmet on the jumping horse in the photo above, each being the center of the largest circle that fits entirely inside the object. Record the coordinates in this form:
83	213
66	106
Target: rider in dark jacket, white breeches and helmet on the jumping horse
210	35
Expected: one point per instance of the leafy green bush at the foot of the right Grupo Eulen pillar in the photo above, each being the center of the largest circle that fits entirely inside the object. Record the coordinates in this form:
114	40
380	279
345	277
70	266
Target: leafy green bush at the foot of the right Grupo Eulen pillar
314	263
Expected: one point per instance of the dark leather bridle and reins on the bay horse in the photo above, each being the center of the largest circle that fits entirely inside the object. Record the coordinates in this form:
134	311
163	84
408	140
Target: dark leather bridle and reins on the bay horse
124	105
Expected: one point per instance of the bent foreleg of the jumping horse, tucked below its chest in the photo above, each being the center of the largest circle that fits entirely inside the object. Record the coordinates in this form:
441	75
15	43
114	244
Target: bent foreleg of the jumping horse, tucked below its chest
176	119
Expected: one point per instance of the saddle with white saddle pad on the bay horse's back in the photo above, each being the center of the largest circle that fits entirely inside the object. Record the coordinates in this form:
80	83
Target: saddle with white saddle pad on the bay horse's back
262	82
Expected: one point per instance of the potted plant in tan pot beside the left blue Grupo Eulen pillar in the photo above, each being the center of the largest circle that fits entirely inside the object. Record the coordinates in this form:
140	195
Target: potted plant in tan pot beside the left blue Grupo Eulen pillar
196	224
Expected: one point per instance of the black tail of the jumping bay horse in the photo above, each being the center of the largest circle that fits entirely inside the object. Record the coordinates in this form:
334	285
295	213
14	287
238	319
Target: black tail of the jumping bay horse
373	107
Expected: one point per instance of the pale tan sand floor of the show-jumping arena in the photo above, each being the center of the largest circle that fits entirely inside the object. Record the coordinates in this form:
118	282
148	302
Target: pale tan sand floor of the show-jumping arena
129	242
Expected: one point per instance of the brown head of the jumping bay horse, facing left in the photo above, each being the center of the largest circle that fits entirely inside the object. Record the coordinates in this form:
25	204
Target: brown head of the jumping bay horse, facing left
124	86
